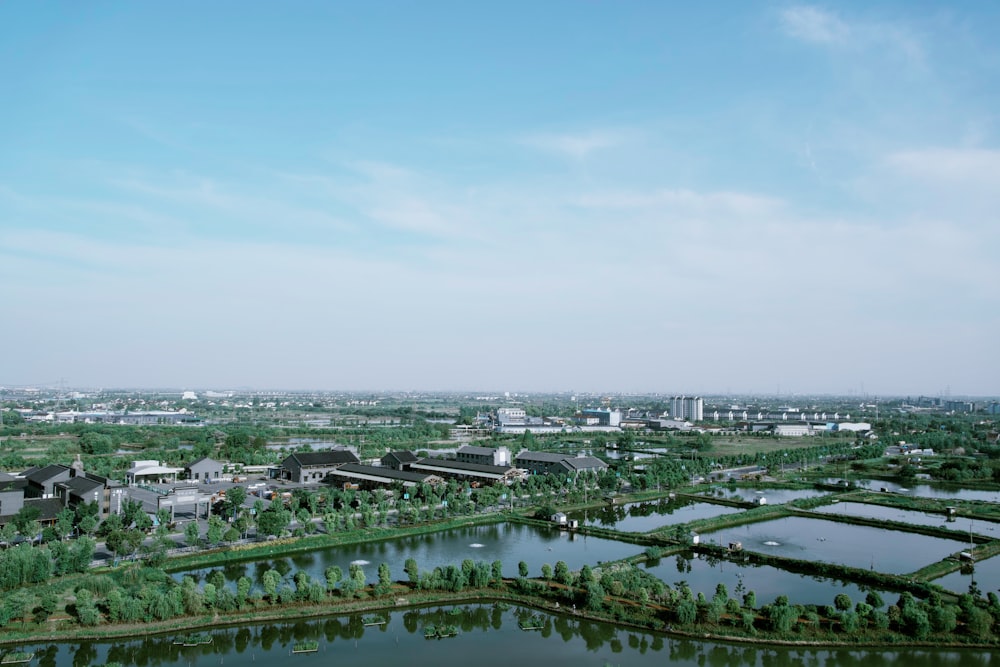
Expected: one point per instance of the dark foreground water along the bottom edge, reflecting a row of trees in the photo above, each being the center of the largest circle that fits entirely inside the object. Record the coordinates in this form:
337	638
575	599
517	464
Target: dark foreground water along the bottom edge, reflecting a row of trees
489	637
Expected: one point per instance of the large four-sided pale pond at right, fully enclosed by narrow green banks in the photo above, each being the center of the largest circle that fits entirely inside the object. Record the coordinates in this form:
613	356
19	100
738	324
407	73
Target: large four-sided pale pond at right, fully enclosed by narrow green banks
890	551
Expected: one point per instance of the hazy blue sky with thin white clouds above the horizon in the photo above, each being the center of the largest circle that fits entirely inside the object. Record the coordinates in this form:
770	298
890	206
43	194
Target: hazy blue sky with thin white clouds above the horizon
523	196
